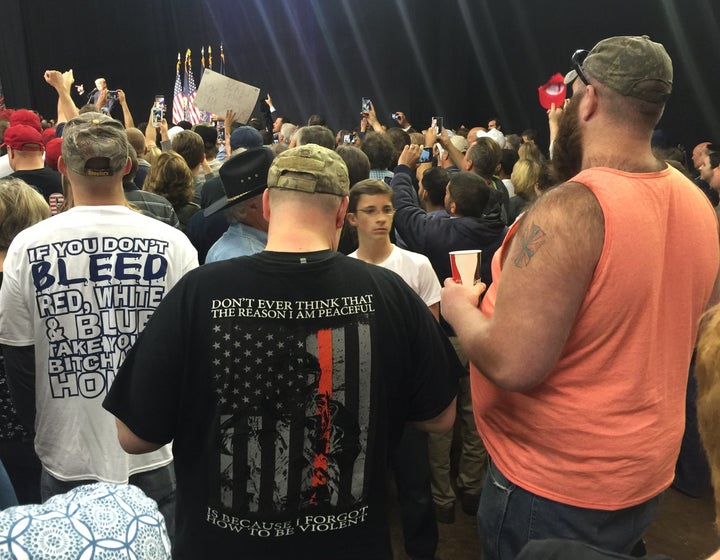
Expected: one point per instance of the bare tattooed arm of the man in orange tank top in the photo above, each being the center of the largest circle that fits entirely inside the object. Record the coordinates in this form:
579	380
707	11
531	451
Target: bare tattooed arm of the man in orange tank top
545	276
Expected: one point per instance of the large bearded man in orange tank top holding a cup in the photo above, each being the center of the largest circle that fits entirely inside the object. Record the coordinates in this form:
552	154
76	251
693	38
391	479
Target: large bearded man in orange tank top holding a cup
581	346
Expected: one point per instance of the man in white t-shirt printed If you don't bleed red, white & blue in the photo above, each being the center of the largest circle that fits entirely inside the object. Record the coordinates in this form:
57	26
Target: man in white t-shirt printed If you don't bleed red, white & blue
77	290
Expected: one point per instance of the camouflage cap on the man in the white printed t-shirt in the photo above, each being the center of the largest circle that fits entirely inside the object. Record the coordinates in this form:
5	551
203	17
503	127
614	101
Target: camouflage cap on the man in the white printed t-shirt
95	145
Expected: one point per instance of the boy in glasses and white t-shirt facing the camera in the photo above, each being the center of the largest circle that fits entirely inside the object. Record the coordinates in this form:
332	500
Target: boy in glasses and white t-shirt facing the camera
371	210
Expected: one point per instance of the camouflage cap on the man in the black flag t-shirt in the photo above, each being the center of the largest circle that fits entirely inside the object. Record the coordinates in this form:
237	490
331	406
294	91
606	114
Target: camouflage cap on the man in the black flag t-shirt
310	168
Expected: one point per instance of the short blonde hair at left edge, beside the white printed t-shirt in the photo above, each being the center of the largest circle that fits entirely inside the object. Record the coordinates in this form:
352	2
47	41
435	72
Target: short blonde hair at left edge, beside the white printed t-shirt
21	206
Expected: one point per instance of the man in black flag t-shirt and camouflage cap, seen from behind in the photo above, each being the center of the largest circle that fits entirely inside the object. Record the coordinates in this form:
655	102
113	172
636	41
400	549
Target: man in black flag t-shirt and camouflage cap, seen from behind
284	380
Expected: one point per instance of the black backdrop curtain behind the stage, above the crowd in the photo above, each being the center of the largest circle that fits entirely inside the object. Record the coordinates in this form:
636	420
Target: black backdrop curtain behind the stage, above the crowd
466	60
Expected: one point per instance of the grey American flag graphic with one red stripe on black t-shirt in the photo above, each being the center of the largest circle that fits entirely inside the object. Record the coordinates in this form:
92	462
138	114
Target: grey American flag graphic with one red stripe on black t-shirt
294	408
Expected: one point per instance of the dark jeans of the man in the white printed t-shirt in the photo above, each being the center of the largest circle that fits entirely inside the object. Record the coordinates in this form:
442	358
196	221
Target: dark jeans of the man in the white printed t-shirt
158	484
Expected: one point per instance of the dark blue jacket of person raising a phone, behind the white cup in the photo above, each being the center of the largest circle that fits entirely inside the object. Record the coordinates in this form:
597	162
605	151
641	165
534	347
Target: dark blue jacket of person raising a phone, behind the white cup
435	237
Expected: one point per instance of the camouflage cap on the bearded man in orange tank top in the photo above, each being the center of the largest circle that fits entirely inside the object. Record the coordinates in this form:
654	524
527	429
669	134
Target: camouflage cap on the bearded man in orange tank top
634	66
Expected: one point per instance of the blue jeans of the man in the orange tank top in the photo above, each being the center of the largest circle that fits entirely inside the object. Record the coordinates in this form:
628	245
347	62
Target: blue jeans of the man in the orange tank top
509	517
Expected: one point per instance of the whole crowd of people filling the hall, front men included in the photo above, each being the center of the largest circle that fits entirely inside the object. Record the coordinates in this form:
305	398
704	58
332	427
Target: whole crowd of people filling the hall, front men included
178	312
